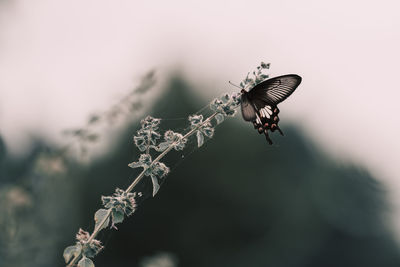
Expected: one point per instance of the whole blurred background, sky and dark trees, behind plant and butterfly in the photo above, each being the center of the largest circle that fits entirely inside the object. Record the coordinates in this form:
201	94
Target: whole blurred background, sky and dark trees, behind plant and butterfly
77	76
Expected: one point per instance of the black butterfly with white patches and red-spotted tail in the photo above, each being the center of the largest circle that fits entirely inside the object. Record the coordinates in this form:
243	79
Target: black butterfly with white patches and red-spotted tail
259	104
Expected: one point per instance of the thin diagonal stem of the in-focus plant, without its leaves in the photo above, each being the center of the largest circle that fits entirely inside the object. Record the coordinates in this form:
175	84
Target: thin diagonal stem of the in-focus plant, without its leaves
137	180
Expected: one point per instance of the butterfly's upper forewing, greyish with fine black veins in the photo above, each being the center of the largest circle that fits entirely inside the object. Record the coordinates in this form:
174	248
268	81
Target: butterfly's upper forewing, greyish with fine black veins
275	90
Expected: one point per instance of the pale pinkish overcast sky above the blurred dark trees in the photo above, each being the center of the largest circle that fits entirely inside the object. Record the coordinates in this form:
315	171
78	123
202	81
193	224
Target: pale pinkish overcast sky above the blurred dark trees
82	55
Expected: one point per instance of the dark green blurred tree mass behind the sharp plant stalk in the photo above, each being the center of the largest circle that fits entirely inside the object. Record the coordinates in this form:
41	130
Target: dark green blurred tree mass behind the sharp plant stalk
253	208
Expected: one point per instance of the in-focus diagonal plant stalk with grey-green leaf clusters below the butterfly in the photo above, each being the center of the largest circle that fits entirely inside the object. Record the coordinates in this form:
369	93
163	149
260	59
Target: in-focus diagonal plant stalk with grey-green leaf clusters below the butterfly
147	138
